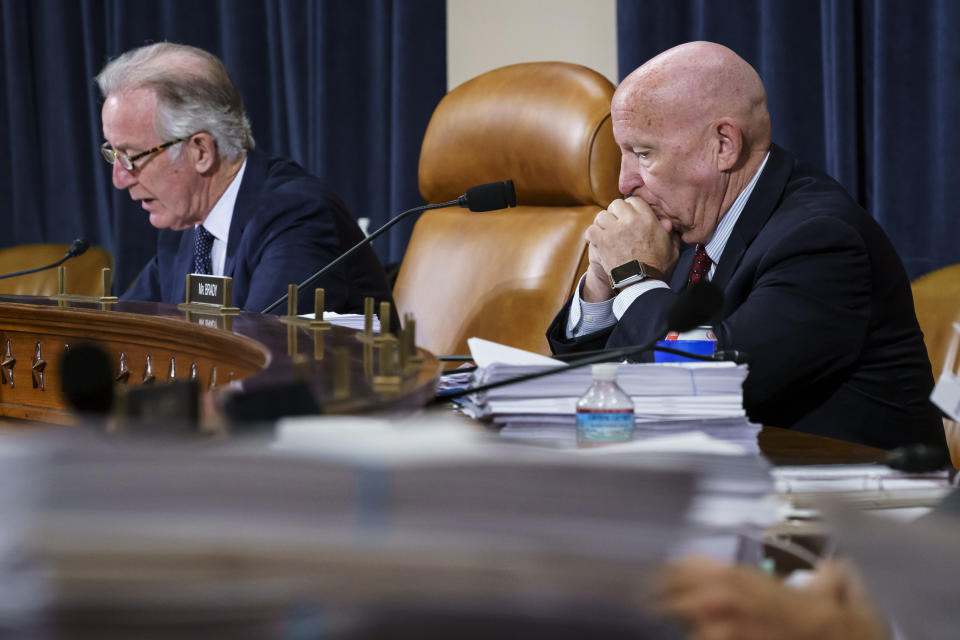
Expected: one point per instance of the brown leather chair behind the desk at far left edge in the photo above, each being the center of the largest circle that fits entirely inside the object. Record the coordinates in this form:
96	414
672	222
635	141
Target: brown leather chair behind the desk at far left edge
83	273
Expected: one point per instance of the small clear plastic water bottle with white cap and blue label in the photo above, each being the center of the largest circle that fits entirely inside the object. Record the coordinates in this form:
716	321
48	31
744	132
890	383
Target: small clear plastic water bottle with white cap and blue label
605	411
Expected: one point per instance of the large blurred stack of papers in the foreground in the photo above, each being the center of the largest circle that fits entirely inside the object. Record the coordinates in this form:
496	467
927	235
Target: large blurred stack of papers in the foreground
229	534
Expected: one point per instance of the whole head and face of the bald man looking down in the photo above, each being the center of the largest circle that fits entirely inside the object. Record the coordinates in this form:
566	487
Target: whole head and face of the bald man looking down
693	129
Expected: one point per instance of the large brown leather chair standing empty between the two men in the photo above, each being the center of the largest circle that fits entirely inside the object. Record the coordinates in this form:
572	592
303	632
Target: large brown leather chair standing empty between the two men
503	275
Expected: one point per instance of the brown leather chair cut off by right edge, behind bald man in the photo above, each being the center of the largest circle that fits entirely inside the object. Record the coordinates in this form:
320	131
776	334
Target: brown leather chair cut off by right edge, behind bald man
936	298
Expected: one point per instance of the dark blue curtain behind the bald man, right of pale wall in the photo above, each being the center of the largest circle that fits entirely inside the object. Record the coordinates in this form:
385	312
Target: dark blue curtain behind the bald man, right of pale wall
866	89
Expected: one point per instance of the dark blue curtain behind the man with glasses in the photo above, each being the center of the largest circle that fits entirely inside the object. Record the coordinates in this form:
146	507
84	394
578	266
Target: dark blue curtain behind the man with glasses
344	87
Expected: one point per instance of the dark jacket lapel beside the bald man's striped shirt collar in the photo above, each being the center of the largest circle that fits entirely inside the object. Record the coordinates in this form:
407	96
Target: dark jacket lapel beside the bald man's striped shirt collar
766	194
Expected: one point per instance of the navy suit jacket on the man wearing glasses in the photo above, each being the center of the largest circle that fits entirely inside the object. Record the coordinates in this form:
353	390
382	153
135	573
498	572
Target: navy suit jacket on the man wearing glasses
286	225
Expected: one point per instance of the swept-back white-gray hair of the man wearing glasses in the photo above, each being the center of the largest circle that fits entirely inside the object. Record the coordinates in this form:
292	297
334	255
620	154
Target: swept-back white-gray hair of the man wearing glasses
194	93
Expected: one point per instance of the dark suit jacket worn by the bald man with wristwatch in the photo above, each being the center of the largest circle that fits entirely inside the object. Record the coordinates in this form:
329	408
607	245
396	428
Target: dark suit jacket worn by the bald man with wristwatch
817	296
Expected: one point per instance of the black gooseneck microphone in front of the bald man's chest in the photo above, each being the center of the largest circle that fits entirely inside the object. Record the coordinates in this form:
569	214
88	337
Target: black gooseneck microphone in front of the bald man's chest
695	305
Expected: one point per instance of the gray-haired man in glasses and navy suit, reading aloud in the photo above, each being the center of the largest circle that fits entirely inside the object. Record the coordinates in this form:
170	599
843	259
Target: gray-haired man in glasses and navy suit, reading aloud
180	143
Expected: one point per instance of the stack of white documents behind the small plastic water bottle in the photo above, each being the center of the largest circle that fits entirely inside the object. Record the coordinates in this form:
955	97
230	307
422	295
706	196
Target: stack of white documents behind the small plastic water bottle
668	398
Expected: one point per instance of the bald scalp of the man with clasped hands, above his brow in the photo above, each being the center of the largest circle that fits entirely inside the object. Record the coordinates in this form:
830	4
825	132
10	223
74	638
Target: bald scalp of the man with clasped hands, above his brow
692	85
